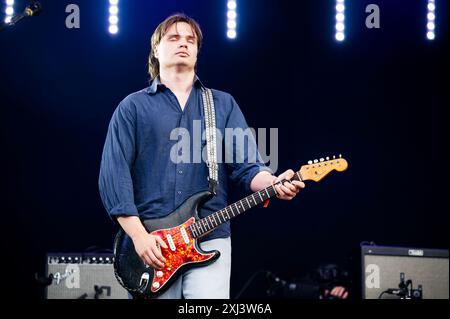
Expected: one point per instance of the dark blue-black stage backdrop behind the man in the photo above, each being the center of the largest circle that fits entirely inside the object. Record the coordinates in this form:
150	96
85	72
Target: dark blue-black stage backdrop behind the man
380	98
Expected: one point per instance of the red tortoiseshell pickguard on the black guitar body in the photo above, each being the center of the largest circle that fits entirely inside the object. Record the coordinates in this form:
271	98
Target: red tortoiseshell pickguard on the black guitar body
183	254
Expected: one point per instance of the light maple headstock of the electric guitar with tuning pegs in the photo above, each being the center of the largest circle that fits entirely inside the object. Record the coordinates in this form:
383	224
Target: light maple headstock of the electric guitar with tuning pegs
318	169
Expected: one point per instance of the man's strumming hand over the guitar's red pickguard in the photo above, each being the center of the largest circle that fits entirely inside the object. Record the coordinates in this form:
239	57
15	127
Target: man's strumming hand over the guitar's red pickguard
147	248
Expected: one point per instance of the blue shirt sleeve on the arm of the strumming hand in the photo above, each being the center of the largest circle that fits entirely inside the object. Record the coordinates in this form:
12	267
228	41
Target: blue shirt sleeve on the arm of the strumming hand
115	181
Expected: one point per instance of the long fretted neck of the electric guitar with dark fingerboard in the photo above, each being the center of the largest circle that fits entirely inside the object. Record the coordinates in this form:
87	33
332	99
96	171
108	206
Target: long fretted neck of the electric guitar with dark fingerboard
211	222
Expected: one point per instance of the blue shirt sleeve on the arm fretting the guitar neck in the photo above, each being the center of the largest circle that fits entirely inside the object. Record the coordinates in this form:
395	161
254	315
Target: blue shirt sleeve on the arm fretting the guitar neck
247	161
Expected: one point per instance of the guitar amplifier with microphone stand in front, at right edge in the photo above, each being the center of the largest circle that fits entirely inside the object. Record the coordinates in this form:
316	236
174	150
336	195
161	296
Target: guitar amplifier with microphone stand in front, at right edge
385	268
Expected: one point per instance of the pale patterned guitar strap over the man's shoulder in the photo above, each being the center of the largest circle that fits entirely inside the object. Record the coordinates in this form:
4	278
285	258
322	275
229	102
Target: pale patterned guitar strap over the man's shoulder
211	146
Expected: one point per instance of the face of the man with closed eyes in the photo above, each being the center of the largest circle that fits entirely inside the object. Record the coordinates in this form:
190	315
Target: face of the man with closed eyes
178	47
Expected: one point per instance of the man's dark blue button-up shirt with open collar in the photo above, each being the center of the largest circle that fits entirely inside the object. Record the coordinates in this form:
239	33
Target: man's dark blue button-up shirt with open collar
144	172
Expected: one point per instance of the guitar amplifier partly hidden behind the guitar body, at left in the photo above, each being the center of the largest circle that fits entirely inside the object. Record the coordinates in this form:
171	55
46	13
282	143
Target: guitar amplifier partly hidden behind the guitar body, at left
82	276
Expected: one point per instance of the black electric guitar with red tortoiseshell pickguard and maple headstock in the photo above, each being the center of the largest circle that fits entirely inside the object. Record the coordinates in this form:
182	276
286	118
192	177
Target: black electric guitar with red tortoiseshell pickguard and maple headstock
181	230
